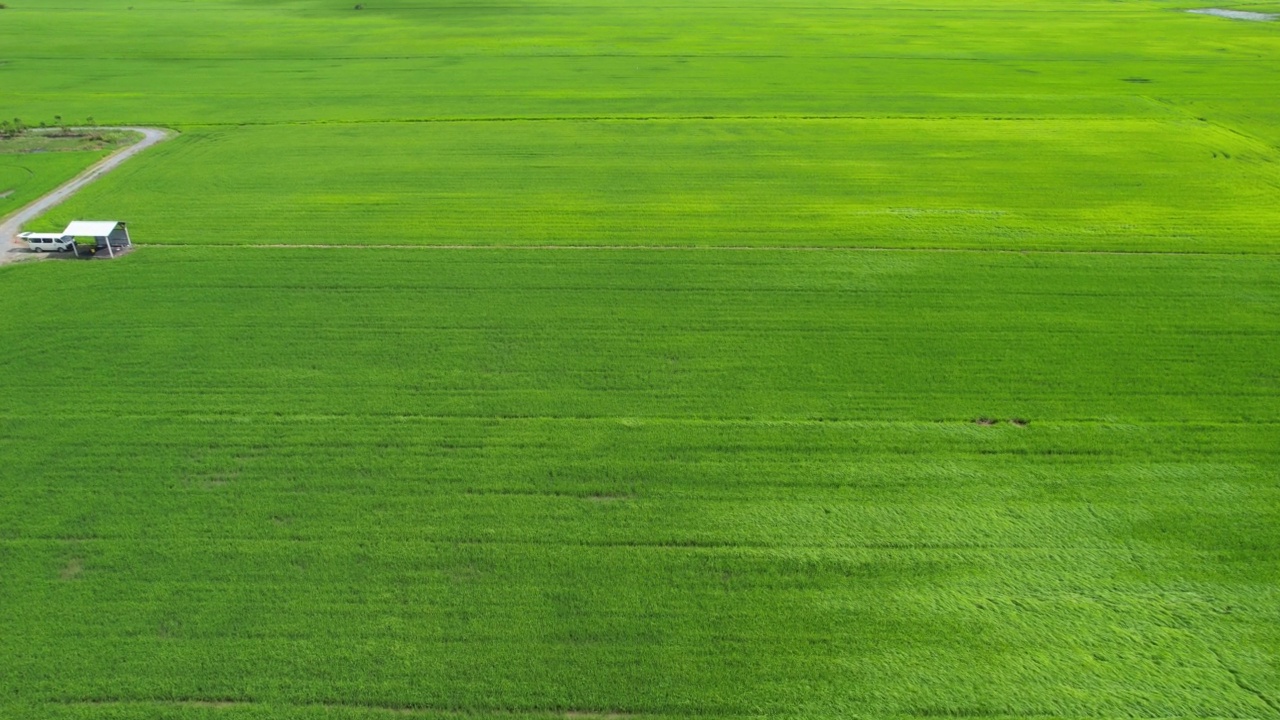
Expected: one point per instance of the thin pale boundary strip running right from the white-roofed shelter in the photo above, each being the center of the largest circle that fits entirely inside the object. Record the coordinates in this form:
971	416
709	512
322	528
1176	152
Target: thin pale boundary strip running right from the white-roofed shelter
712	249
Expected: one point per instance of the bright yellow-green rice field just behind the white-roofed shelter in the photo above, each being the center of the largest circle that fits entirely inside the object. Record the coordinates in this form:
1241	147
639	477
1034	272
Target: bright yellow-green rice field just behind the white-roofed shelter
1131	185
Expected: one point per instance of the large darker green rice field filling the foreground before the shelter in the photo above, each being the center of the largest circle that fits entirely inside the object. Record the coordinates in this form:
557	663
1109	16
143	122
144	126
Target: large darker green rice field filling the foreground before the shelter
620	481
